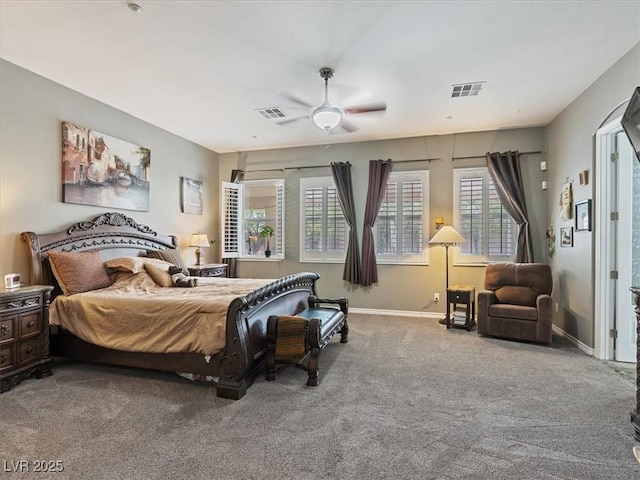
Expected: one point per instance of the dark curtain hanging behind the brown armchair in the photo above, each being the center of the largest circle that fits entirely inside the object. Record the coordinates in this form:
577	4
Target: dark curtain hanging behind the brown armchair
505	172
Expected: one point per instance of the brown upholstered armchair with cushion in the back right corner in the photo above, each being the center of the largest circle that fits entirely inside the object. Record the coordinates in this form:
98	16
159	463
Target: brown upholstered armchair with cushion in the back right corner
516	302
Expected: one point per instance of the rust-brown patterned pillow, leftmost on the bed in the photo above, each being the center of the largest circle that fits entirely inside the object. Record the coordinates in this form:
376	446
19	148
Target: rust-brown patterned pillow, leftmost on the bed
78	272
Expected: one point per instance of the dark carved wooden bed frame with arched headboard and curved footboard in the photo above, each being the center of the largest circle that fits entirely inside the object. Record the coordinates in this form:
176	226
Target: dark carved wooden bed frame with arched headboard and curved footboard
116	236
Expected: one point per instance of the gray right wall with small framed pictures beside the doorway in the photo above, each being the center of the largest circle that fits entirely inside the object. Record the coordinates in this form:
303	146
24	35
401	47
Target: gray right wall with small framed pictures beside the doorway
571	149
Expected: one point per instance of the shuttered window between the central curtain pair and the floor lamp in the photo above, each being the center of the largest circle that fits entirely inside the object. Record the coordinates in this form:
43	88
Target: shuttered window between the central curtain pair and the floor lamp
401	230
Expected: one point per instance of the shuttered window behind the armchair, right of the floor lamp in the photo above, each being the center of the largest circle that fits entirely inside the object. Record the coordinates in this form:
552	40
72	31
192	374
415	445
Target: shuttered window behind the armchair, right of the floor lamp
481	219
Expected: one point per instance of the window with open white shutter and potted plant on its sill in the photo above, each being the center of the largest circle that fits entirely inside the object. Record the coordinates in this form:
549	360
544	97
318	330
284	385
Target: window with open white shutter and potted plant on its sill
247	208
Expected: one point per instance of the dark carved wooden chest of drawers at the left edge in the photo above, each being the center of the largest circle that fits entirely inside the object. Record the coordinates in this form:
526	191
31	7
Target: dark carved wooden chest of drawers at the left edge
24	334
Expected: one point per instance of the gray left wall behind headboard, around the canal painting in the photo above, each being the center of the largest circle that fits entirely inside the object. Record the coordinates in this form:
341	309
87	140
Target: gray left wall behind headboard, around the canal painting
31	116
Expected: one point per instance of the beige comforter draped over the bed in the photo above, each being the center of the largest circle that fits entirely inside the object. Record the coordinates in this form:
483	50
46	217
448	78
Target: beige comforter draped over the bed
135	314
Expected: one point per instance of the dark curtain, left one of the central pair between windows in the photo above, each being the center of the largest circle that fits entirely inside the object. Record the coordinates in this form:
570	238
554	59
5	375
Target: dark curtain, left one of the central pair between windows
342	177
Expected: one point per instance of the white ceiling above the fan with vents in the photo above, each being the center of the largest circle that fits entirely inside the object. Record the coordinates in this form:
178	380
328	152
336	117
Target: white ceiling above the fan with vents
201	68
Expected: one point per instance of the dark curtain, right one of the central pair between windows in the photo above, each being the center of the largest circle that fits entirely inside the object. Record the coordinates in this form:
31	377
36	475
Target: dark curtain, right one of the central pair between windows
378	175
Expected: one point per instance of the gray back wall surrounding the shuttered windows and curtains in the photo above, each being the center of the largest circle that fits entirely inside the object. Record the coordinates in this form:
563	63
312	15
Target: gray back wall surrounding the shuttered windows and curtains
407	288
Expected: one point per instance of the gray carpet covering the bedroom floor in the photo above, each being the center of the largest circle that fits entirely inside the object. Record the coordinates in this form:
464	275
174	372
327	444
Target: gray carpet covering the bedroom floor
405	399
